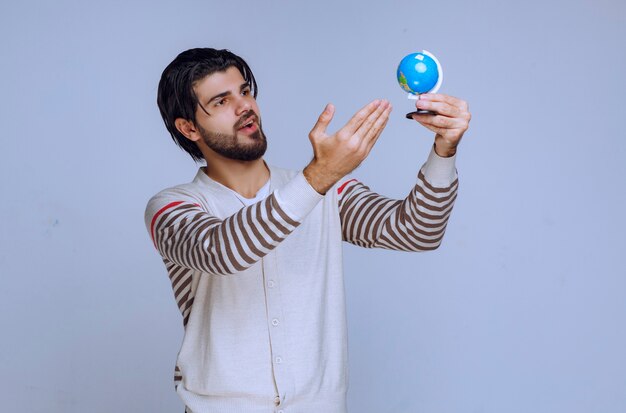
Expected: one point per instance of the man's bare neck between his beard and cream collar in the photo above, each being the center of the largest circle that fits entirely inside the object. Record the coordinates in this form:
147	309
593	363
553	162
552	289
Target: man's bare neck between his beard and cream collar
243	177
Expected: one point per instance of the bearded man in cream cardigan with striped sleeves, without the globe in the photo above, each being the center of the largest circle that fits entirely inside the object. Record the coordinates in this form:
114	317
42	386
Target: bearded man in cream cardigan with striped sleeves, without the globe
254	251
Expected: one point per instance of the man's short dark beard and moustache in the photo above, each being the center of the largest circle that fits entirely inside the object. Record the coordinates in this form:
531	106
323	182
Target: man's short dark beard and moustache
229	146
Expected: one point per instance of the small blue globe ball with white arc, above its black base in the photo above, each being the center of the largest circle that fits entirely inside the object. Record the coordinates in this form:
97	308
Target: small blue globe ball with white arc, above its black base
418	73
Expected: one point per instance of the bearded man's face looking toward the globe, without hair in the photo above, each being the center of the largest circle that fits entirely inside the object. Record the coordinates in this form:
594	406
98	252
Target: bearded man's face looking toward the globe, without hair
232	127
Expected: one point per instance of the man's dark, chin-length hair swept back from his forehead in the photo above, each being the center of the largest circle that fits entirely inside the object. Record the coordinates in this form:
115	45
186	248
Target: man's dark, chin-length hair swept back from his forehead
176	97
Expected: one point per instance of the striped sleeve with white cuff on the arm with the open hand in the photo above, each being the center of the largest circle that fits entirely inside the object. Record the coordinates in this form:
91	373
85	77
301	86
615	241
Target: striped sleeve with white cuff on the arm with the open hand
187	235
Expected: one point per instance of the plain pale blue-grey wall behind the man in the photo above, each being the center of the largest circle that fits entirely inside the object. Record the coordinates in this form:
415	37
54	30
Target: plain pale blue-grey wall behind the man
522	309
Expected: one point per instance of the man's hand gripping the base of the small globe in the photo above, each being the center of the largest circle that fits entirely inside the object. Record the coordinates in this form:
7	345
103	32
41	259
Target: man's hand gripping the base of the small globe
449	123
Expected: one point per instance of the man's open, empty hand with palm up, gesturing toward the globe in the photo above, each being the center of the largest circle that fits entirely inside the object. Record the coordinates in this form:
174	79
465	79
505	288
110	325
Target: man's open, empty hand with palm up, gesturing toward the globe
336	155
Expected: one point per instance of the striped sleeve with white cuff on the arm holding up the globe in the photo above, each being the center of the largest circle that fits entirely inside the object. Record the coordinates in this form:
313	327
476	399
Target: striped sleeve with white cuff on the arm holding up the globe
416	223
